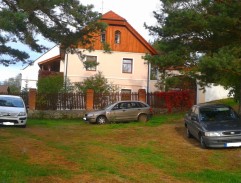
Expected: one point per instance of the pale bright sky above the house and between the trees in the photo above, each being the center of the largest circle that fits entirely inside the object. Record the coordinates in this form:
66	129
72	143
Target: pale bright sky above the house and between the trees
136	12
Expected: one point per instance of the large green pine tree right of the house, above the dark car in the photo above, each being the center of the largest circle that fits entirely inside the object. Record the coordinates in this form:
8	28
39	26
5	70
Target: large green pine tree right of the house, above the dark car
201	38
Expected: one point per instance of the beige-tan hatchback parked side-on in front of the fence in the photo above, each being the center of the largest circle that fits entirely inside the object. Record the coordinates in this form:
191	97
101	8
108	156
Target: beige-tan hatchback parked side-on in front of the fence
120	111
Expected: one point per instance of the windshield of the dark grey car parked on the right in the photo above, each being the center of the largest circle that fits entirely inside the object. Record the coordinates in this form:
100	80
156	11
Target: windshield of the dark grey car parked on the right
217	114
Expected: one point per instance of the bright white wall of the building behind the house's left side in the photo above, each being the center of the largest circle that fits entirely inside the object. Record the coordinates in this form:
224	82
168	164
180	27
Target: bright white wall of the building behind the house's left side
30	73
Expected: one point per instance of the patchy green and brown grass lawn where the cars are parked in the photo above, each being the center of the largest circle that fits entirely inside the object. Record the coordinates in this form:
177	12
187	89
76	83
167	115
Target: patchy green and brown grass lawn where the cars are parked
72	151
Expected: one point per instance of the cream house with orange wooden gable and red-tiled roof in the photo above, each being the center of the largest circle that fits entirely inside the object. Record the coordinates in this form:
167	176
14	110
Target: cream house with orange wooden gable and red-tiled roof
123	65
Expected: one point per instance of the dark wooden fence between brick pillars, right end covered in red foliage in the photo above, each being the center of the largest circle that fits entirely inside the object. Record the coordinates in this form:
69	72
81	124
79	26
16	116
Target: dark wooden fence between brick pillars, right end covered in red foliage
78	101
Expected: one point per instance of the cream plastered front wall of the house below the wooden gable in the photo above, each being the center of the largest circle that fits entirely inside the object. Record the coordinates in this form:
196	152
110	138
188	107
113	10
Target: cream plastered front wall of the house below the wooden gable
111	67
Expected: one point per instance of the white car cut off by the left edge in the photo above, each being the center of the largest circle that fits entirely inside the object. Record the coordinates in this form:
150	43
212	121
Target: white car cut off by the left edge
12	111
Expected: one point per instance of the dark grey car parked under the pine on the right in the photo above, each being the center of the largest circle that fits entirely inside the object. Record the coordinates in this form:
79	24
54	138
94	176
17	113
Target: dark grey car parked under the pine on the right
214	125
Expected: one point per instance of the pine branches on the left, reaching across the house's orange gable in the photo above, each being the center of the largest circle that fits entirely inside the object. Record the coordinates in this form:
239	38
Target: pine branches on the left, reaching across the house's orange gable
59	21
